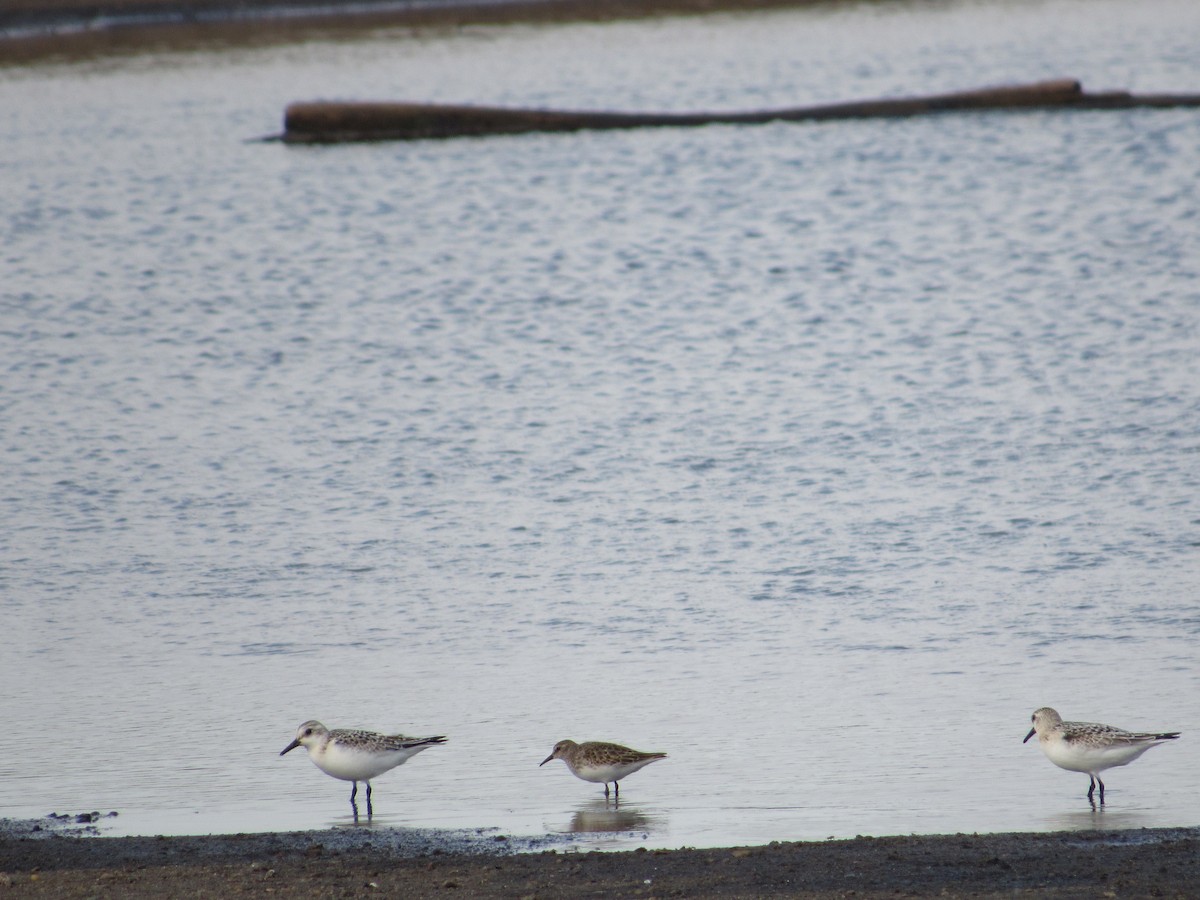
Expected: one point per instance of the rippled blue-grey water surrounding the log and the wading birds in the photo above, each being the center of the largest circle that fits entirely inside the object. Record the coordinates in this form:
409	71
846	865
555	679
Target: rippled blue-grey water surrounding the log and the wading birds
815	455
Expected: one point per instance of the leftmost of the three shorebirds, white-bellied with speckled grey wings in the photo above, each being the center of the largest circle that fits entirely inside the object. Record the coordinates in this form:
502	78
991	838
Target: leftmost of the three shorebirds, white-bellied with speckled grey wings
356	755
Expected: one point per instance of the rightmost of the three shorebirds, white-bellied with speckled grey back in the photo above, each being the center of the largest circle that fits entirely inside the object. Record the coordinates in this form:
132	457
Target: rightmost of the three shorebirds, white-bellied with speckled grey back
1090	748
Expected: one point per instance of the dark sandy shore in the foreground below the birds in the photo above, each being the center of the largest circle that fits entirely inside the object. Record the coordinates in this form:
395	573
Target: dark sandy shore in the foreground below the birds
1162	863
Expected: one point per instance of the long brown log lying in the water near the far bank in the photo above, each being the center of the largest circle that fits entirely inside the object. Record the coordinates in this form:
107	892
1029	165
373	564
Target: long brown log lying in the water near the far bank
327	123
